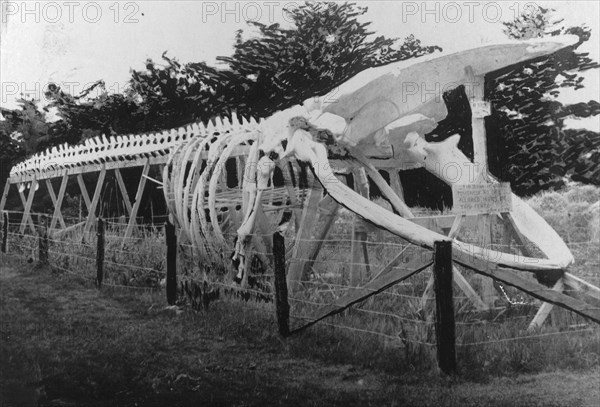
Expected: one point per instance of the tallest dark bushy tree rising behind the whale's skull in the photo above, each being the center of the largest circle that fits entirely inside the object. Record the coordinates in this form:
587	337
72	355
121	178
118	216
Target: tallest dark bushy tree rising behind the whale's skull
326	46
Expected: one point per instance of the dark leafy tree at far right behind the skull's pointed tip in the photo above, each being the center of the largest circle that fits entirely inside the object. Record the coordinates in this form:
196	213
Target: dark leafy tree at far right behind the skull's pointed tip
528	143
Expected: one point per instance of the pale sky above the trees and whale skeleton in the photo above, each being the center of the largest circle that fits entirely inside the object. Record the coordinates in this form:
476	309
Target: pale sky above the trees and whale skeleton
75	43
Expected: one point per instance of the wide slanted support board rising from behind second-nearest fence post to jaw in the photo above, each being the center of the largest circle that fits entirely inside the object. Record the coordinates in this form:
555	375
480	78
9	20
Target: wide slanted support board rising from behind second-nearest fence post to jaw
301	249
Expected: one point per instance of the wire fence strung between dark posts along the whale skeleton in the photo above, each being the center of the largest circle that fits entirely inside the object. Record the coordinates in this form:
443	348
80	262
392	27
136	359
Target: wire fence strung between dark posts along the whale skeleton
403	316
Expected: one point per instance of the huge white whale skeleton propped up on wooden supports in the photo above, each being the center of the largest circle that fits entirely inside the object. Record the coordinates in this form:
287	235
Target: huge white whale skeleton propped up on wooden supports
377	121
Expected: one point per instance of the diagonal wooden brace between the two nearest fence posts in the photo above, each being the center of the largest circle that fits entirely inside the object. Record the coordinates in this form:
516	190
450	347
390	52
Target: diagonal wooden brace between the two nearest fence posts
387	278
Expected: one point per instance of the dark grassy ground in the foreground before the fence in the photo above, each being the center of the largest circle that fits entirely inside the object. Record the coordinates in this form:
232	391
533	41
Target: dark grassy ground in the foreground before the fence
65	343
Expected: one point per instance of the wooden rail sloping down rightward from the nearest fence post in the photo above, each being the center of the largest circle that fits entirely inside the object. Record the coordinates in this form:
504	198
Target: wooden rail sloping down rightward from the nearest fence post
532	288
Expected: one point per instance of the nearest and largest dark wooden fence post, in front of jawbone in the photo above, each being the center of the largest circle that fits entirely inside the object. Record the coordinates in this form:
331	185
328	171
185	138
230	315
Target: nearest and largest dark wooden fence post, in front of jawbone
444	306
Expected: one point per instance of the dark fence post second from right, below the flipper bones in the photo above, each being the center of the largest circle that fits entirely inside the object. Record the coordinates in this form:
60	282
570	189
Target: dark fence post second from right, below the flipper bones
282	307
